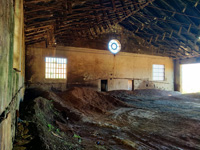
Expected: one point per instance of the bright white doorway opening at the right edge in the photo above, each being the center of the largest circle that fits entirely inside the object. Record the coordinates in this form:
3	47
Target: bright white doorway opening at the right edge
190	78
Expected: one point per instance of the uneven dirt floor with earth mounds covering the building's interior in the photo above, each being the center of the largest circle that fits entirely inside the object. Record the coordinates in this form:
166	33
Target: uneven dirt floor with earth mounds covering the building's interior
81	118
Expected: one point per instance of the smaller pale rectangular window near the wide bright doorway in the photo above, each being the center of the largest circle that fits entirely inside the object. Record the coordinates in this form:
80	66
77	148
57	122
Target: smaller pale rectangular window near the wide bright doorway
158	72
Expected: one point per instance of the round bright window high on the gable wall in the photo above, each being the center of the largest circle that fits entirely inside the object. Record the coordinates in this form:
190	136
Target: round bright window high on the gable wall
114	46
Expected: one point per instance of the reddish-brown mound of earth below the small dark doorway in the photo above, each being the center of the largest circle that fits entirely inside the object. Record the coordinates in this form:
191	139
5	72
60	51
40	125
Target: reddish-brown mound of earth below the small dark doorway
89	101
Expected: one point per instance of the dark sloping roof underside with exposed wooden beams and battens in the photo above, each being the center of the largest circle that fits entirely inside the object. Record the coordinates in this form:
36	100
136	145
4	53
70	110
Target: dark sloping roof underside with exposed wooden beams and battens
172	27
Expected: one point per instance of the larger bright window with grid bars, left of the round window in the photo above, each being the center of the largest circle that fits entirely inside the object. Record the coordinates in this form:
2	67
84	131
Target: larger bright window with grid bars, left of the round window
55	68
